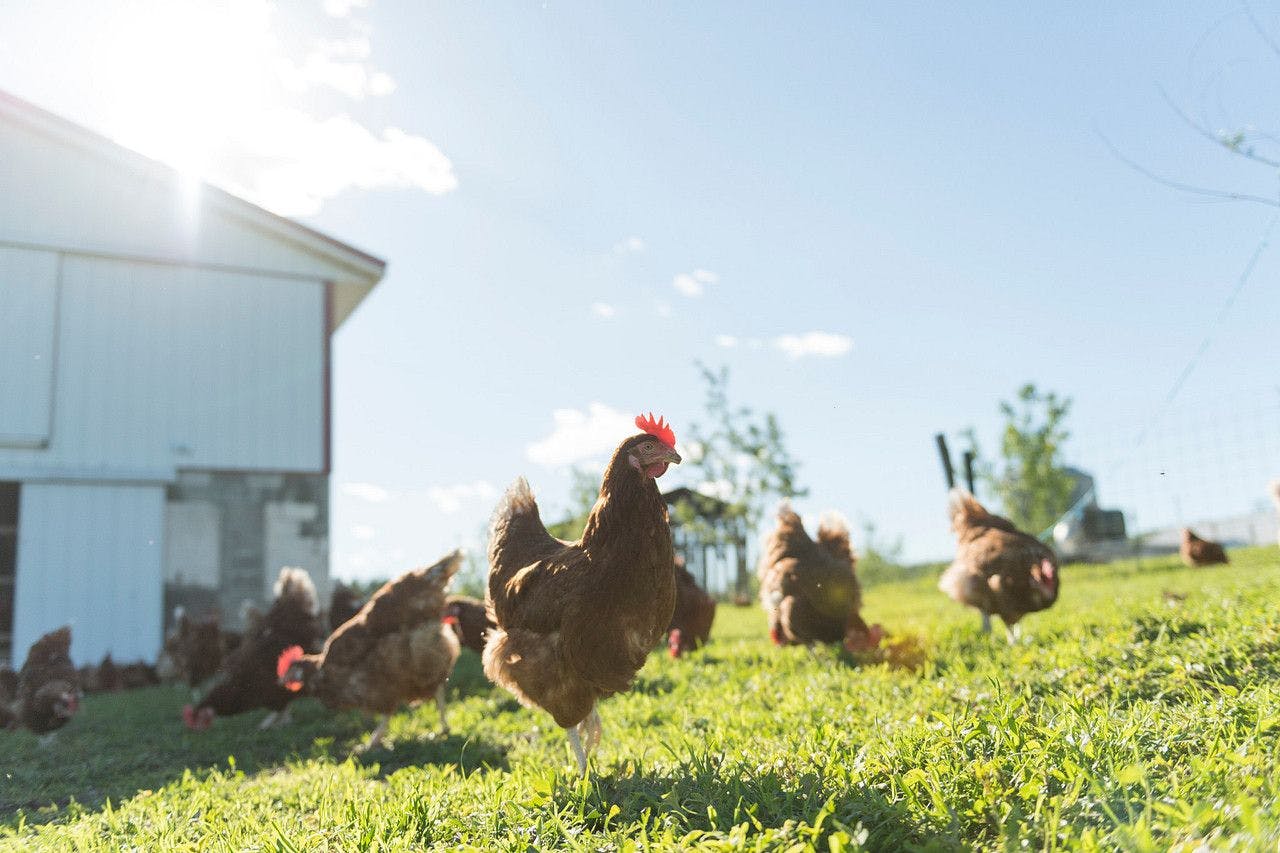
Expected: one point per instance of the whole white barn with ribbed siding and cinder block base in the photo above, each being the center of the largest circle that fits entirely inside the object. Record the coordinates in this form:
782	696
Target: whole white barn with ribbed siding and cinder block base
164	391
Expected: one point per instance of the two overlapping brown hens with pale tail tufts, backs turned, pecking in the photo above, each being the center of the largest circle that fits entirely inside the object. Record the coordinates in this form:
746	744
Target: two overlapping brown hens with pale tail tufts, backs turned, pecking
810	590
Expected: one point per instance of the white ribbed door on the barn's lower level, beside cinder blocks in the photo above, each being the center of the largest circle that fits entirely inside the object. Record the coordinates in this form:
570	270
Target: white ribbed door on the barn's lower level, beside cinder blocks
90	556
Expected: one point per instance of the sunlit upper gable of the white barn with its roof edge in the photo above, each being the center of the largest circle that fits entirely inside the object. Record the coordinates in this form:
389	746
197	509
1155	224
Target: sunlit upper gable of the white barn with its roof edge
85	193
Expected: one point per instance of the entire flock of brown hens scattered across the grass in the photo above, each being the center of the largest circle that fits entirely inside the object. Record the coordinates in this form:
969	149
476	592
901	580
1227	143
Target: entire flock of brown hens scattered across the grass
564	626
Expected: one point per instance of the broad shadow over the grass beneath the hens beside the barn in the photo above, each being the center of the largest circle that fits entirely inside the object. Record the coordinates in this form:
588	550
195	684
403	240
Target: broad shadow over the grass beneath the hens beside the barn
125	743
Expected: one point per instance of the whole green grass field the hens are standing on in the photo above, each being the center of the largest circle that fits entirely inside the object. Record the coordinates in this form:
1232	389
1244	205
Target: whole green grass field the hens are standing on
1122	722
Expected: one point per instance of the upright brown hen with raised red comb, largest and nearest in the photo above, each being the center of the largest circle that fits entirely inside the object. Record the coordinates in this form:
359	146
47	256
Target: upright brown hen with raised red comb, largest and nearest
575	622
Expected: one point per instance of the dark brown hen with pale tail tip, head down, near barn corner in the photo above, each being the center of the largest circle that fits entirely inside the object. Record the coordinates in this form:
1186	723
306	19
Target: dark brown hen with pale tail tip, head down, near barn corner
249	679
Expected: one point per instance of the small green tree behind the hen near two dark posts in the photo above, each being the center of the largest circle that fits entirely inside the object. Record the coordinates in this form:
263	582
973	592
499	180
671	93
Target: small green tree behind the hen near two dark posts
1034	487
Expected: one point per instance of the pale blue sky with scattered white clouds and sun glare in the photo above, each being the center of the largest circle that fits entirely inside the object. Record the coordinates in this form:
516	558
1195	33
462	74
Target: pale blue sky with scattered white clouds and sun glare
897	216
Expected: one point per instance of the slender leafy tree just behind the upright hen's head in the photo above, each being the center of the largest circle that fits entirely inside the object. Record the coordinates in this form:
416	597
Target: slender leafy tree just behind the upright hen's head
740	459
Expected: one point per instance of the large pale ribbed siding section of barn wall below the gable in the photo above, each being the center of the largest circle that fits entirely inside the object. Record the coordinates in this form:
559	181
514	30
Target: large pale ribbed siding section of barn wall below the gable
163	367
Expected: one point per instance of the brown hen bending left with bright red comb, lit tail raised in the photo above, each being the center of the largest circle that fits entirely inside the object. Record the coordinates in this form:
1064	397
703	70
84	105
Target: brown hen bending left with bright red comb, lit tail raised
395	651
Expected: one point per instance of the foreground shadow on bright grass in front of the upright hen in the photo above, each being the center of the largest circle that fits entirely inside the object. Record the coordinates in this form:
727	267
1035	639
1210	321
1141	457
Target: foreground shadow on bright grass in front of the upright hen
705	795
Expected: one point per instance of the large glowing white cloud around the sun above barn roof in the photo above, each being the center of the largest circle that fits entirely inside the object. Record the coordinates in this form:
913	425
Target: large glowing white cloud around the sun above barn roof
214	92
